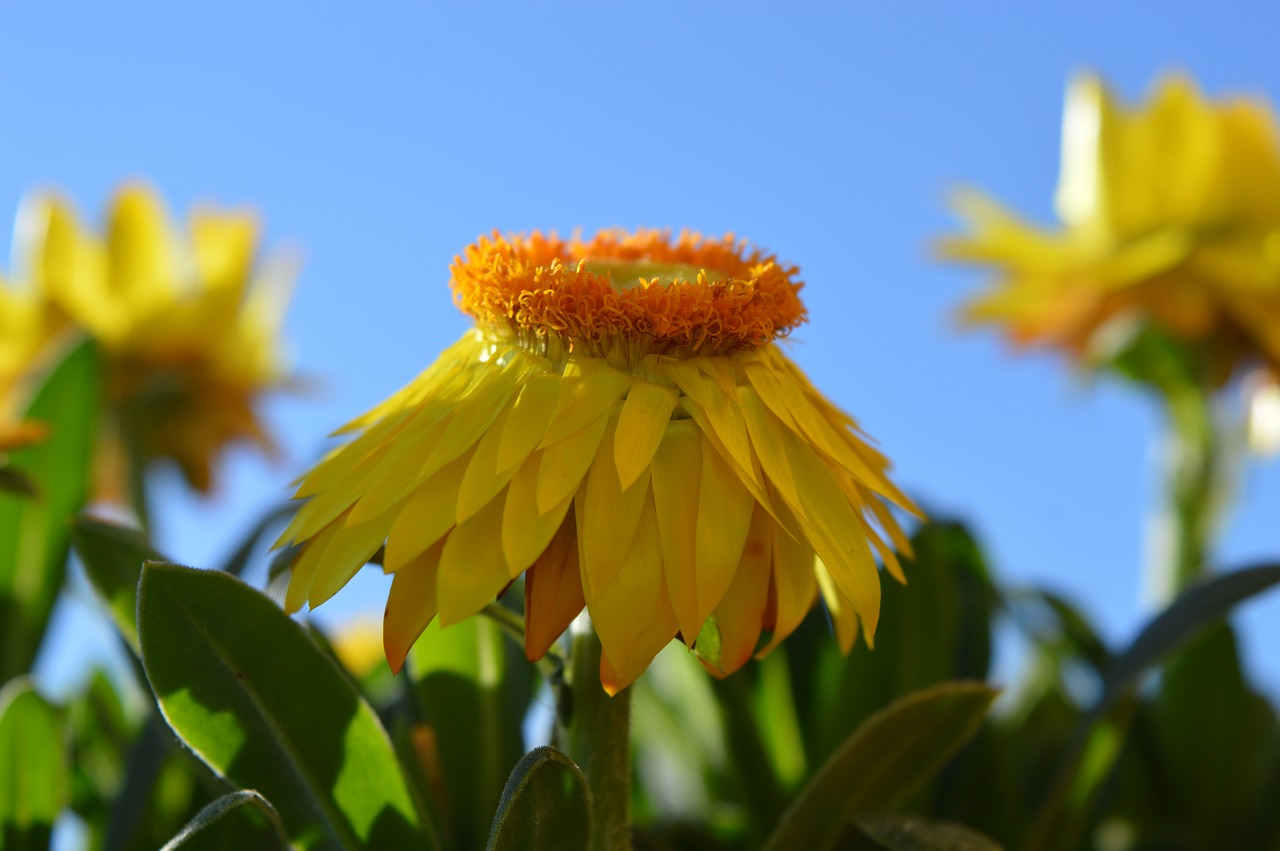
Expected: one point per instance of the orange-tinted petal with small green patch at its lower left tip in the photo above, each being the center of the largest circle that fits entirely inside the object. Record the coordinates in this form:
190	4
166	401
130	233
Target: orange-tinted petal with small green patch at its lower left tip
740	615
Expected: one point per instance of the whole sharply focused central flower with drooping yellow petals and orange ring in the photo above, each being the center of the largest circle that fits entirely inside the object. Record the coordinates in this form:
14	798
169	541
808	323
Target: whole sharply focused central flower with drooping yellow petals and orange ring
623	429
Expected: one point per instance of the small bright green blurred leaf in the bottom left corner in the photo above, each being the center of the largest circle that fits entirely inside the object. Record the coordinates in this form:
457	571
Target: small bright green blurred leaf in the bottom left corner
35	776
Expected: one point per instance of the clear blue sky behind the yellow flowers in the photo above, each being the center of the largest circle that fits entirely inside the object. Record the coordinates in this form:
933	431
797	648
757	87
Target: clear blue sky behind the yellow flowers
381	139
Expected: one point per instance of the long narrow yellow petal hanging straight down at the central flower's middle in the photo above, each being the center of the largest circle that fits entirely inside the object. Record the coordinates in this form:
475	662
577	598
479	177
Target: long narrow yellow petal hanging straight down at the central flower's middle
678	470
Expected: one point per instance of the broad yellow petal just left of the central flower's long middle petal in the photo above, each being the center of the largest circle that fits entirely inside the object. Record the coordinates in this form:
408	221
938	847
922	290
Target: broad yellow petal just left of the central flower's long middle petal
609	515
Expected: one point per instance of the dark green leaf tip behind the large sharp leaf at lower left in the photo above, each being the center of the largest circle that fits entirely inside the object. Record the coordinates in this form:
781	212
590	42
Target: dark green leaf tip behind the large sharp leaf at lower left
113	559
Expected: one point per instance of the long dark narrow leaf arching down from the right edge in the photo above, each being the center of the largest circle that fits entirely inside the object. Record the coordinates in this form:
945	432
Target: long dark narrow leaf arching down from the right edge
1096	742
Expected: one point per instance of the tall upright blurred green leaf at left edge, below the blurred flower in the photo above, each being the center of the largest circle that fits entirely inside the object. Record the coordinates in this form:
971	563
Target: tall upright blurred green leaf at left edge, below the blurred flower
34	534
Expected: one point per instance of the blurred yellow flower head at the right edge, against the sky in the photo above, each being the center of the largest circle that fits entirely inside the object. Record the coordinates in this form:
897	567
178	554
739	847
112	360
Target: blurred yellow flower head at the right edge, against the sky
1171	216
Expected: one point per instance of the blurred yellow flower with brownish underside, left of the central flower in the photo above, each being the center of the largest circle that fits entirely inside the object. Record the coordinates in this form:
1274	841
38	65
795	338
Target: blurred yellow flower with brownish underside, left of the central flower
188	332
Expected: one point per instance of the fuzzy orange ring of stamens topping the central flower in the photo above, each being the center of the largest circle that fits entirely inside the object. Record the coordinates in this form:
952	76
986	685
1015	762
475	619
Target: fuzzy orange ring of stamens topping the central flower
743	299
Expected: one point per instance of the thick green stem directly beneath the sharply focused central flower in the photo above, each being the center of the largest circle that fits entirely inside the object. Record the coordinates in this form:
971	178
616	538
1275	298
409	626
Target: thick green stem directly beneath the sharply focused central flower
598	738
